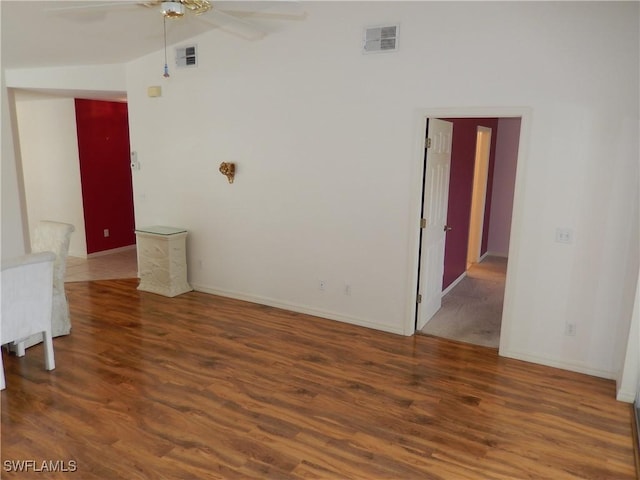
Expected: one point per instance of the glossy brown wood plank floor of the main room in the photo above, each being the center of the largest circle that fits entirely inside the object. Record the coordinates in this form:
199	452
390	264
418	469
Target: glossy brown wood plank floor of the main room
203	387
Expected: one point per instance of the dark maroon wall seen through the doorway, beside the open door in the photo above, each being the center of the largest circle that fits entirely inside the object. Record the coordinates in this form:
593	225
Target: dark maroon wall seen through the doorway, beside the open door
463	155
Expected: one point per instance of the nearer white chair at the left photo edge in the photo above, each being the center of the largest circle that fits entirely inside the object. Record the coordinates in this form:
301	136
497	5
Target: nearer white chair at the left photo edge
27	296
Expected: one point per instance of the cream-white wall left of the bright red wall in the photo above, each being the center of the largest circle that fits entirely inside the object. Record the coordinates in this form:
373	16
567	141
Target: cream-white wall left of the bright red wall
50	163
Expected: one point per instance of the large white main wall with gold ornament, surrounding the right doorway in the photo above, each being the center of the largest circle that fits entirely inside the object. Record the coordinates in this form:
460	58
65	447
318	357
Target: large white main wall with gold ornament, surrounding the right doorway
323	137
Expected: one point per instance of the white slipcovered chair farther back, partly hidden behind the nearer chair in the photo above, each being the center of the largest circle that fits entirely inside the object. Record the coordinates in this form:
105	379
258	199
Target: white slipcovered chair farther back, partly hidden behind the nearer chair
53	237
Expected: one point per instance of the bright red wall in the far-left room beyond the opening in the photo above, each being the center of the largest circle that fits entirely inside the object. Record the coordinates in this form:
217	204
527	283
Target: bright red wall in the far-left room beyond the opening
107	193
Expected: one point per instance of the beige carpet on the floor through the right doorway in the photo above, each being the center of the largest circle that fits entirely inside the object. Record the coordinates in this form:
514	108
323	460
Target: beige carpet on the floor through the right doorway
472	311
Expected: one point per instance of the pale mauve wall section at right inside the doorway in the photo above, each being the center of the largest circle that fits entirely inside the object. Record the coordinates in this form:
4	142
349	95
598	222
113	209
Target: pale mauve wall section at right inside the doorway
504	178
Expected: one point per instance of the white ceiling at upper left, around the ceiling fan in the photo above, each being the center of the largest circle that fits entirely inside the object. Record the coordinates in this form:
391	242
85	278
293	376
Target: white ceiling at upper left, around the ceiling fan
49	33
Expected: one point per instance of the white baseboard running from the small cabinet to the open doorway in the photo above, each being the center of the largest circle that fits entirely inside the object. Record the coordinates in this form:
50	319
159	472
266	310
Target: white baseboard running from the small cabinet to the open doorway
298	308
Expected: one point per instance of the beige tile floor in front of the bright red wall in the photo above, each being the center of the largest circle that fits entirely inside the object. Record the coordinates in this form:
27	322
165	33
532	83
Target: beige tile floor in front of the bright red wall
122	264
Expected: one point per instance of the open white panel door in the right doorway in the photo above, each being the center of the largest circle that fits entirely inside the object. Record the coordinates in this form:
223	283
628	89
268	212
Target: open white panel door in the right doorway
435	203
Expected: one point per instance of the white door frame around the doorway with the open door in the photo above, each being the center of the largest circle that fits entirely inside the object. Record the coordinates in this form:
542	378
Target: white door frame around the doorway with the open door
420	119
